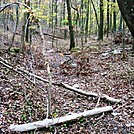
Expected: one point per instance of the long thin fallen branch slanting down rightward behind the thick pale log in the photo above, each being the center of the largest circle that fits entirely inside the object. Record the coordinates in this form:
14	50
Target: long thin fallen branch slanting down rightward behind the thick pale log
66	86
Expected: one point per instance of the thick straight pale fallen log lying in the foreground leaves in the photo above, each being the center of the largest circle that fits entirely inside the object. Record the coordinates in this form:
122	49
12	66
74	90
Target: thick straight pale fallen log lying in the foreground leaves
55	121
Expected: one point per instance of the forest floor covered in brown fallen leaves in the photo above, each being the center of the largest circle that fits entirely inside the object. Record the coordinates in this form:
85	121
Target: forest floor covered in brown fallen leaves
96	68
